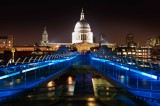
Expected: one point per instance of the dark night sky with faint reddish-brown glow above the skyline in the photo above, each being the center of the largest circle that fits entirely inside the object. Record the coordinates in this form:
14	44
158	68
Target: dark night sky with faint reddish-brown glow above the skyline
27	19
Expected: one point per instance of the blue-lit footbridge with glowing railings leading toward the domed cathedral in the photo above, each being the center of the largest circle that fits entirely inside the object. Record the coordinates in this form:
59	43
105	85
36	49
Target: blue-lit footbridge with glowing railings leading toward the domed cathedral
136	78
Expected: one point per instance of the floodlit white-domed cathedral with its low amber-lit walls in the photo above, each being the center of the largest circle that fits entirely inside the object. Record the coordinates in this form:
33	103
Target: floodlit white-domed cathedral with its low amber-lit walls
82	37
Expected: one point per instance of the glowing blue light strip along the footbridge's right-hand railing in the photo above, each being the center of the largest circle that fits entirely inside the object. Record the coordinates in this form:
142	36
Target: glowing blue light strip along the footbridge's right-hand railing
126	68
